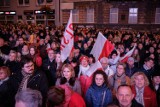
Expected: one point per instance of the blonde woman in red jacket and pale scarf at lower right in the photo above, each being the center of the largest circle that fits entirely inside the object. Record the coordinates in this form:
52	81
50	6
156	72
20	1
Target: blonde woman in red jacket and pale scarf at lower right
143	93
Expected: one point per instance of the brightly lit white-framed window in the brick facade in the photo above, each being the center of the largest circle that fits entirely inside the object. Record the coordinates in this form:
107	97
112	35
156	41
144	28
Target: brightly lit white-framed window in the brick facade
133	13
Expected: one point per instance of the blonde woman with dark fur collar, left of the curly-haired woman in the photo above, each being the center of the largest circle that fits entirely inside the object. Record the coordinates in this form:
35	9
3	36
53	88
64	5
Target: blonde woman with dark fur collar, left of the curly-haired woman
68	78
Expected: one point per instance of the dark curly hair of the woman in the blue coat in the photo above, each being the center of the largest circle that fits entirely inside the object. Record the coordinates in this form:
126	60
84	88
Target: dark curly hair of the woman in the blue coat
102	73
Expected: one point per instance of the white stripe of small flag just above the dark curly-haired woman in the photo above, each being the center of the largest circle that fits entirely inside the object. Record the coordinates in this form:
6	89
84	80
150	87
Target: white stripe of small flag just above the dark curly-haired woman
93	68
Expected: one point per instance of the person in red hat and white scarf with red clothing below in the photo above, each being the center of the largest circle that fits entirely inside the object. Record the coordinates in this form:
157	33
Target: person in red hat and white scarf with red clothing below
85	80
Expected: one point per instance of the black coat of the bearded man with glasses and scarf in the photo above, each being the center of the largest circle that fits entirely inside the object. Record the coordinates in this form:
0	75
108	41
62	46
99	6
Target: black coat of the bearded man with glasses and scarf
37	81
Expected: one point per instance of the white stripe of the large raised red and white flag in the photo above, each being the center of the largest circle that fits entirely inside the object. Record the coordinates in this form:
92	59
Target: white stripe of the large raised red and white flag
98	46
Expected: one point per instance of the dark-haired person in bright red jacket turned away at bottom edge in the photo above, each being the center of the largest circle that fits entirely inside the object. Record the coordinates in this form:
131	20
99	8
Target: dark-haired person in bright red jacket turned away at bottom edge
64	96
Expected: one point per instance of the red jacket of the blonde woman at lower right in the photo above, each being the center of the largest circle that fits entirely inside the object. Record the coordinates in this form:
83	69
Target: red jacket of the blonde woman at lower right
149	97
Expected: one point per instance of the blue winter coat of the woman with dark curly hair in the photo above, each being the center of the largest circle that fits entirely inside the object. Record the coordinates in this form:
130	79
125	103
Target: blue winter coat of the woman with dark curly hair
98	96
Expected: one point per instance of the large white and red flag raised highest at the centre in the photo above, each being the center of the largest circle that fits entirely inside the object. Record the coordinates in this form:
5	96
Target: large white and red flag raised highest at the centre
102	47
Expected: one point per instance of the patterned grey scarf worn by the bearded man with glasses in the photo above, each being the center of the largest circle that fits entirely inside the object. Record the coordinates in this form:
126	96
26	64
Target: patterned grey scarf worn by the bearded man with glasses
23	84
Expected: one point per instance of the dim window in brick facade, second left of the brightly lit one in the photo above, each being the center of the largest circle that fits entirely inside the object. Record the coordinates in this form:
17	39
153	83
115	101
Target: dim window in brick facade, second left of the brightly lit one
90	15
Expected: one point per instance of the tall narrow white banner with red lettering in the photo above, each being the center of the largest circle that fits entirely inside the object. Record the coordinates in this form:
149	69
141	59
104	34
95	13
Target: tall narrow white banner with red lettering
67	40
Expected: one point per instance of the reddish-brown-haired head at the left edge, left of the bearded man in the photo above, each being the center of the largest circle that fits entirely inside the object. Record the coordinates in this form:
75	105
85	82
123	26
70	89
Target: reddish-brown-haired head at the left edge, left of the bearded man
4	72
